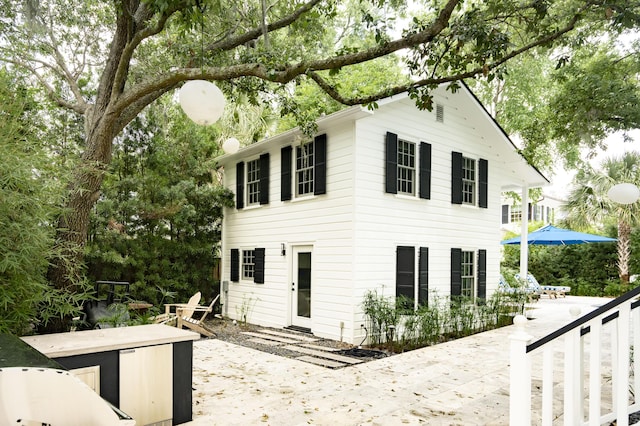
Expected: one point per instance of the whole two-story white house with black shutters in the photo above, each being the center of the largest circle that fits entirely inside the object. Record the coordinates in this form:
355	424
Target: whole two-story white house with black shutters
397	200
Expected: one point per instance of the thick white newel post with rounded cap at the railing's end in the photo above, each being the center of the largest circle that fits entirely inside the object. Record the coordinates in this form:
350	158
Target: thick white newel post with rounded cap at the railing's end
519	375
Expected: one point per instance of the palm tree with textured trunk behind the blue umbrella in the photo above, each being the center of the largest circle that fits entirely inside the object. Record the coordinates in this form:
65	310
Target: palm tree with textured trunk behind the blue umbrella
589	205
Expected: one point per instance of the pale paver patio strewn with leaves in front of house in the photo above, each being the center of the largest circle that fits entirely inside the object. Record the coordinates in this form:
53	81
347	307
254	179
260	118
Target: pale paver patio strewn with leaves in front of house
462	382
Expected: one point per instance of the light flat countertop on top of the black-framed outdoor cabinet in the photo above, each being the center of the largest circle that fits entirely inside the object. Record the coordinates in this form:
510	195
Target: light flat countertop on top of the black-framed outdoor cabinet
59	345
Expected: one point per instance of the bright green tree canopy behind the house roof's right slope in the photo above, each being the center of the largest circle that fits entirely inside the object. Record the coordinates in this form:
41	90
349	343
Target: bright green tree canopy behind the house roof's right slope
565	101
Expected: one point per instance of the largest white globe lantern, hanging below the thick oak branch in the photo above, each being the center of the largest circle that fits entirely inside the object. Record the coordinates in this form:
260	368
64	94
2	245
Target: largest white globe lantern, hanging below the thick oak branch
202	101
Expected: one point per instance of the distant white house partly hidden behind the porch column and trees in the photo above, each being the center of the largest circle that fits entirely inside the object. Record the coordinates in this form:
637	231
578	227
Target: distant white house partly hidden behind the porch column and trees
547	210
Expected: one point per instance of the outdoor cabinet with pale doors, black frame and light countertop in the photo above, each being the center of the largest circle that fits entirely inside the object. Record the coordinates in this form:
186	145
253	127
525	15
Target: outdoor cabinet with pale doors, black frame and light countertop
144	370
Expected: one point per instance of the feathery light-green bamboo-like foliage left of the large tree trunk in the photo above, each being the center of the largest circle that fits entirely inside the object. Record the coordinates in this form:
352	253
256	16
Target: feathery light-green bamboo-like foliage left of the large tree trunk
29	197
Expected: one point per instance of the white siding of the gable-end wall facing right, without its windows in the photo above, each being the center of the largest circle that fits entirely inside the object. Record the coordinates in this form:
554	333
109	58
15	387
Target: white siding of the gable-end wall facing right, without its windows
384	221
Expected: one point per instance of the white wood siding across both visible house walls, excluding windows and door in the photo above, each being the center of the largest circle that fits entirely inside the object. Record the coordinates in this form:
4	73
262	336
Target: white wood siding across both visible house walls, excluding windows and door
355	227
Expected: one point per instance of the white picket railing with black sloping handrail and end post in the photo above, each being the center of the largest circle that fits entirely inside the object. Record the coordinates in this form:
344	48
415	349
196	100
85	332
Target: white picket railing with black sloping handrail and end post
581	374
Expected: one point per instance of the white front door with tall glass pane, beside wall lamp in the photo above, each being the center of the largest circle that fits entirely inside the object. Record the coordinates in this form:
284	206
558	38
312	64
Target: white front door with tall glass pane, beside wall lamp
301	287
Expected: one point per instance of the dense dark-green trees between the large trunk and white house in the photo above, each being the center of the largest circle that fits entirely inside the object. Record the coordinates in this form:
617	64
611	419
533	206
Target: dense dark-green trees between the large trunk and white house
158	221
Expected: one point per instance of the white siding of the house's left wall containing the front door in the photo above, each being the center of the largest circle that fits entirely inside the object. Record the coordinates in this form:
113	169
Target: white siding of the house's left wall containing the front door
323	221
